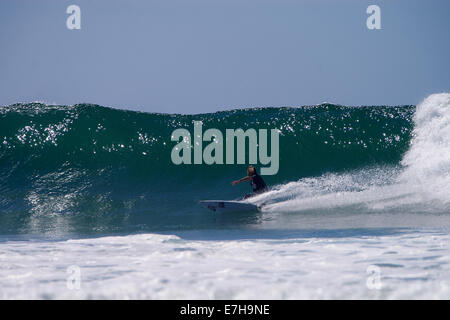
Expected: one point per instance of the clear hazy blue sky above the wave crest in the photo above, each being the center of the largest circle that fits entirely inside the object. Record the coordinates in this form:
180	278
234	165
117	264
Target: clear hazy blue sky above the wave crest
191	56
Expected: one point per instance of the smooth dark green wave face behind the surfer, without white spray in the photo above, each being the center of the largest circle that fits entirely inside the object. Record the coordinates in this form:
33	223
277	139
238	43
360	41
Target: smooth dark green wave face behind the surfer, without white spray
87	168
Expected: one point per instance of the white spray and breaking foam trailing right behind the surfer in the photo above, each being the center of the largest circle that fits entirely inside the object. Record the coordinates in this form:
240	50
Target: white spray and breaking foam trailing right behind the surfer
420	184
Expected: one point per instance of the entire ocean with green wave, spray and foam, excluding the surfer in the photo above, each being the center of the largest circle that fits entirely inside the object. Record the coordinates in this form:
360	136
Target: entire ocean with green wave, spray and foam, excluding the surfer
92	207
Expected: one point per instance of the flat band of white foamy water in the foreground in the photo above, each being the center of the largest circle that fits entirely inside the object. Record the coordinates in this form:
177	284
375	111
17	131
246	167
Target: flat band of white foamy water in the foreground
149	266
